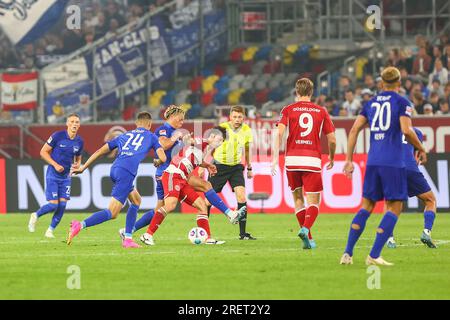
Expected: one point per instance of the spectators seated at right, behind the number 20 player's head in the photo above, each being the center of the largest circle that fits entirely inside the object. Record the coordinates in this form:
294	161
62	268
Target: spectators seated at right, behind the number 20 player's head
425	81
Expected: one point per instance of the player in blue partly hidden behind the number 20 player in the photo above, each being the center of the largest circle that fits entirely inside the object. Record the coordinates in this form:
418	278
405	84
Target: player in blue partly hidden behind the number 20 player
418	187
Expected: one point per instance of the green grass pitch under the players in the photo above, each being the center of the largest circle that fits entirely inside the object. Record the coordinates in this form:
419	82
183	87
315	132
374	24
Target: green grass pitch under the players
273	267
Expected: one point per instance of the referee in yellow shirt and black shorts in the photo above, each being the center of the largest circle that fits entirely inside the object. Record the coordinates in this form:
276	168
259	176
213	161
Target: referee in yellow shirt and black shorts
228	159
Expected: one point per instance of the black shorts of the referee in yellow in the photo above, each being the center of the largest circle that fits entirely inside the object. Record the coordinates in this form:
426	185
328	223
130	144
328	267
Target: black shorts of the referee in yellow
232	174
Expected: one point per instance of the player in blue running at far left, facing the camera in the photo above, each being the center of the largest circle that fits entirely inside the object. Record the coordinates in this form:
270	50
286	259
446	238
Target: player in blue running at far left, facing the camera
62	152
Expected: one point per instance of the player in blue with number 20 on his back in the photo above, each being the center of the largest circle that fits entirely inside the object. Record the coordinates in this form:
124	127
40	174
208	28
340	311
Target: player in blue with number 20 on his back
389	117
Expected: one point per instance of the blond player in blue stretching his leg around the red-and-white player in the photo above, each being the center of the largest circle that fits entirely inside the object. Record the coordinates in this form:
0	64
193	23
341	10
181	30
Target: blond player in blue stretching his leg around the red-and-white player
170	139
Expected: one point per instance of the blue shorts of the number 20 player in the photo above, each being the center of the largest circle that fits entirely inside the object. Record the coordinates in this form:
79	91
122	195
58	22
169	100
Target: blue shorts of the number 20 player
385	183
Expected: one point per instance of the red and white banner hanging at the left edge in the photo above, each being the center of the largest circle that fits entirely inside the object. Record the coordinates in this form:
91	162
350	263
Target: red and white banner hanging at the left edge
19	91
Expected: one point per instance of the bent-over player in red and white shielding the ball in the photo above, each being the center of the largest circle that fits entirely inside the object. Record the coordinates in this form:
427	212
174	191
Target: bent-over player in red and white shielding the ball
196	153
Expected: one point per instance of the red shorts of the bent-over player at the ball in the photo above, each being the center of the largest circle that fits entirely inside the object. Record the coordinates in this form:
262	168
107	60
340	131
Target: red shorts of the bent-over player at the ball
175	186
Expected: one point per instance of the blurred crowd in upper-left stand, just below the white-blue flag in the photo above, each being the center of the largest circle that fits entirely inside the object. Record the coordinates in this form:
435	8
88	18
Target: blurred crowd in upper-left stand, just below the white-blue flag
99	18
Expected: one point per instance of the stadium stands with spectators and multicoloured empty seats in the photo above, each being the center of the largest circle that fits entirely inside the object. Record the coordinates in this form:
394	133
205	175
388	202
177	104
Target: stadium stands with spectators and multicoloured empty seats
258	74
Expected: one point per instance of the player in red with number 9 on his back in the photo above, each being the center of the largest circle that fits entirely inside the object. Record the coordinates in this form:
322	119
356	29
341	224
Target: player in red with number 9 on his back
306	122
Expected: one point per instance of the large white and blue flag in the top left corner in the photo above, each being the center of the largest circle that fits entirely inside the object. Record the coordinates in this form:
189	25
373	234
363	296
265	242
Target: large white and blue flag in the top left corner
25	21
